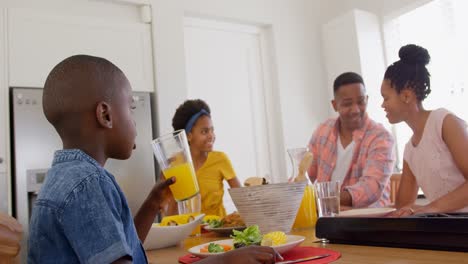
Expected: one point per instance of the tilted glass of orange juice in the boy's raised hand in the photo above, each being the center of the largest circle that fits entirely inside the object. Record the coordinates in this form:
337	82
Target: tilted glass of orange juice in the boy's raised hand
174	159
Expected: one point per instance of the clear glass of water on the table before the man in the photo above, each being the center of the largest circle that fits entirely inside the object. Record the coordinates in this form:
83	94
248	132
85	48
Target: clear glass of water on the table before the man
328	198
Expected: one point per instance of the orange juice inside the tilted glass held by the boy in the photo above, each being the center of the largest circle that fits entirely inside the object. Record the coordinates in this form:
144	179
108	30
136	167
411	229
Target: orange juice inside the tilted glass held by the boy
186	185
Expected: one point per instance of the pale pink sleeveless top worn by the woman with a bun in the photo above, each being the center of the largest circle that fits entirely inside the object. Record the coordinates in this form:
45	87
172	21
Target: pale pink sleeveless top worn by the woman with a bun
431	161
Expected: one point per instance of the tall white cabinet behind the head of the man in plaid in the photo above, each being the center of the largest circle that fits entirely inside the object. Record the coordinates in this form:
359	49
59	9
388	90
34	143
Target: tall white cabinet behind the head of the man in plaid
362	52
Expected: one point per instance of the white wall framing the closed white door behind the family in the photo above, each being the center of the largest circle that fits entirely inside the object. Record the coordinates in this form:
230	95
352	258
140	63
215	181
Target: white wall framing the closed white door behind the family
294	24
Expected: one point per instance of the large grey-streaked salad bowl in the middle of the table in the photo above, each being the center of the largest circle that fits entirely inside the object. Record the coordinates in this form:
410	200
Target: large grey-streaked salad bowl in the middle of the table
273	207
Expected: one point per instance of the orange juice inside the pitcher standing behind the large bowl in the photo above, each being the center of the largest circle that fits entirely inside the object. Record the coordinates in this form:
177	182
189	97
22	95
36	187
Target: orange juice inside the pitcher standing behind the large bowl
307	214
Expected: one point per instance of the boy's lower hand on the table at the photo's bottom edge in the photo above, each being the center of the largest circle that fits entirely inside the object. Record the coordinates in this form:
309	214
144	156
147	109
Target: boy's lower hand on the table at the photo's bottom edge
247	255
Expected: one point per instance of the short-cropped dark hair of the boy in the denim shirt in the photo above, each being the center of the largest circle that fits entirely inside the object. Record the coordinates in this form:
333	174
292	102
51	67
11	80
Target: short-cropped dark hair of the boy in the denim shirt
75	85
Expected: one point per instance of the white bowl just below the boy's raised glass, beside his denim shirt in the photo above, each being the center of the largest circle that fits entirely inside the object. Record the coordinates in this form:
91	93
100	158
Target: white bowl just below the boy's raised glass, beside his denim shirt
166	236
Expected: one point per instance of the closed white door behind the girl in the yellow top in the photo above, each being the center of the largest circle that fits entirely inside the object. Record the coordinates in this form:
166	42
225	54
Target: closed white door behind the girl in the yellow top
223	68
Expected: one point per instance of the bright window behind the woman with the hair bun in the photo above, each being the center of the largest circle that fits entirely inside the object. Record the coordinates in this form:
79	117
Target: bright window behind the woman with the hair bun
441	26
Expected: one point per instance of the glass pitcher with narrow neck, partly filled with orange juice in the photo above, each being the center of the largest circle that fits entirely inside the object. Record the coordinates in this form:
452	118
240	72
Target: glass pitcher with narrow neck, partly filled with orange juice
301	160
